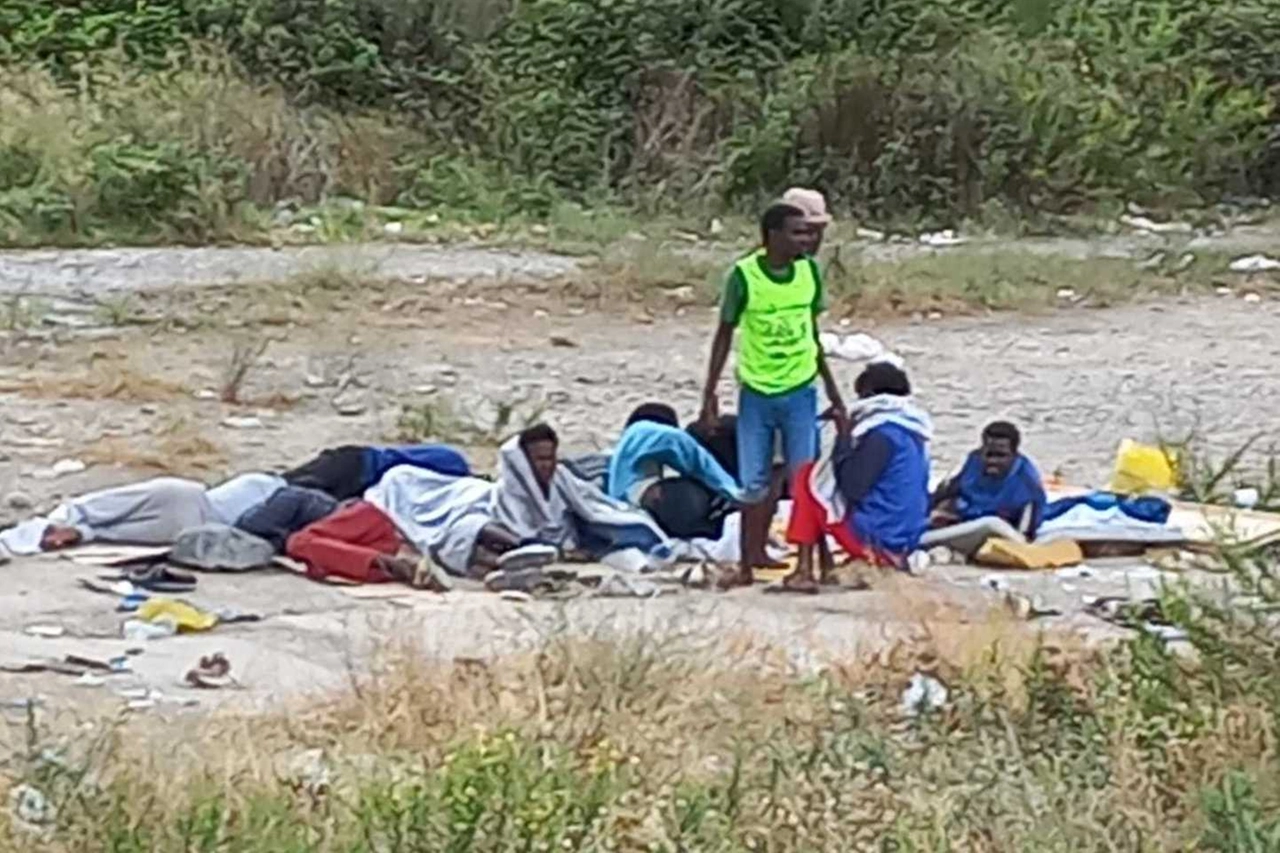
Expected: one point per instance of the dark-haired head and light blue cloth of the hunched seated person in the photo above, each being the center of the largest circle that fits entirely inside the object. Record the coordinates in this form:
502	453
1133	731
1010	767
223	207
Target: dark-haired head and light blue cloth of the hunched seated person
653	444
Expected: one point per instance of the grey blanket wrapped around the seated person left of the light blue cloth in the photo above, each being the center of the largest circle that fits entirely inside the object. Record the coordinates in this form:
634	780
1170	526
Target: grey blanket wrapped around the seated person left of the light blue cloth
575	516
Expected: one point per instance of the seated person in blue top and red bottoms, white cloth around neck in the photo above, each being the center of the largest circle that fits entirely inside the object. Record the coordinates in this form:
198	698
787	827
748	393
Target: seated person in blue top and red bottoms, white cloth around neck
872	492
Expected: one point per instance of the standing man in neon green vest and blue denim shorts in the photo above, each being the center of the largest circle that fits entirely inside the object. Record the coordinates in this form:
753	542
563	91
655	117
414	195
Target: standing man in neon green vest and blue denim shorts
772	299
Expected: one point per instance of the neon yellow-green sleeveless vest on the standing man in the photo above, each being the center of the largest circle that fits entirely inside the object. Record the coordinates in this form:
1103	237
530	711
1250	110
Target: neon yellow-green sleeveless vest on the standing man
778	352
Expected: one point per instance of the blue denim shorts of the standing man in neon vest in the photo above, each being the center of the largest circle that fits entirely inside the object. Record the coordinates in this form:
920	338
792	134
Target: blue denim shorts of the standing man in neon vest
760	421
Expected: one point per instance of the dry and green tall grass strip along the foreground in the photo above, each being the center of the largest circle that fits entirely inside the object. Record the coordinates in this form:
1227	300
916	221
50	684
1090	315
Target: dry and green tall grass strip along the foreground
650	743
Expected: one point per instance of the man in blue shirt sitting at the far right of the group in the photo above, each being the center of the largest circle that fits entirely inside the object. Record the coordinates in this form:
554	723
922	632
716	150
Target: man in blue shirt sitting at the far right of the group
998	492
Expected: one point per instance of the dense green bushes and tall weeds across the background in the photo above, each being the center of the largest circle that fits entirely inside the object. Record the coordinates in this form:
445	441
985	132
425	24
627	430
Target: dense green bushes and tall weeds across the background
173	120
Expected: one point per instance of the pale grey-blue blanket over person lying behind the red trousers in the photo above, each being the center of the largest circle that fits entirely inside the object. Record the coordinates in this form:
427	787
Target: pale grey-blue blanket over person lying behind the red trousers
441	516
